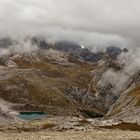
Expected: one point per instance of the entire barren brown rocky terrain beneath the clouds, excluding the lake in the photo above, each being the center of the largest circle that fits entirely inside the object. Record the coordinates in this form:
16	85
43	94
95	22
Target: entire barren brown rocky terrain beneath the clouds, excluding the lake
85	95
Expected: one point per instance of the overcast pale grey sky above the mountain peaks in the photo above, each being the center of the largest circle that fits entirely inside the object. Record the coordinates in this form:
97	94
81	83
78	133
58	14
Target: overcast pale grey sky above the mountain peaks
89	22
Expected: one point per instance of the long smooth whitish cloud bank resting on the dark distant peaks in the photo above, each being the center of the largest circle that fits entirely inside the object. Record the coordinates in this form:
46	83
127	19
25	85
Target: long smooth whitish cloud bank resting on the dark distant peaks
93	40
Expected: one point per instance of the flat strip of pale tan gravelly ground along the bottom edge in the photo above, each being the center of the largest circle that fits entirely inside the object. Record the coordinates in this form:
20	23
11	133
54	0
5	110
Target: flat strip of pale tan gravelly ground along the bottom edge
90	134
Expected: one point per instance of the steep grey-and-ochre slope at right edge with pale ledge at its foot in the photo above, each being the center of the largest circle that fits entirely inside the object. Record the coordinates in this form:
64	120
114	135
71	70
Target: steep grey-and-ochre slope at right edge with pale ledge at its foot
125	112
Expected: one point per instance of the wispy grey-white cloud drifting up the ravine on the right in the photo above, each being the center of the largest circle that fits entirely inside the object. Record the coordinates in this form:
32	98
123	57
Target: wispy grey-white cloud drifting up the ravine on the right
117	81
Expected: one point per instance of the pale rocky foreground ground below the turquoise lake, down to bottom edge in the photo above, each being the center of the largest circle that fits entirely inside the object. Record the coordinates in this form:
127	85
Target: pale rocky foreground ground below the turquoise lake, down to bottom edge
63	128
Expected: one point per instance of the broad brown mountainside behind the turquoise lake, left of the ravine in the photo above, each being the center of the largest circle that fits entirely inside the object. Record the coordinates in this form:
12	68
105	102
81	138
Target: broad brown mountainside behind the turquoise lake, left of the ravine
45	80
